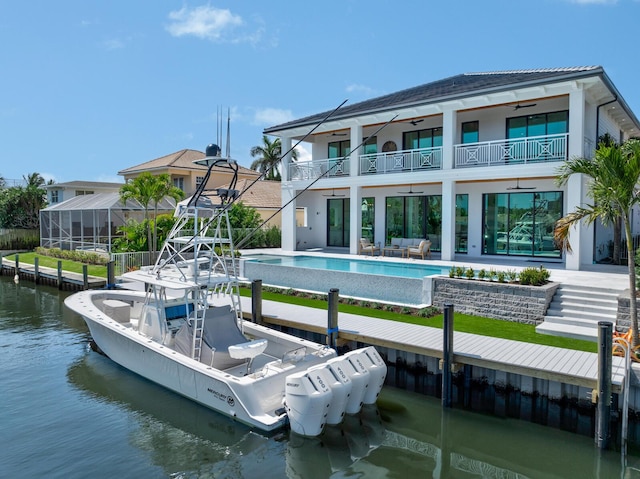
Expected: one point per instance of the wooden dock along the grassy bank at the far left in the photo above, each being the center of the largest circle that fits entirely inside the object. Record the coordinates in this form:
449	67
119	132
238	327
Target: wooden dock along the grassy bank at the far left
52	276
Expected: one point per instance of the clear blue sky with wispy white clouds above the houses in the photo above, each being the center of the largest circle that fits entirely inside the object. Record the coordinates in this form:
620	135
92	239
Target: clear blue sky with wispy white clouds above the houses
88	88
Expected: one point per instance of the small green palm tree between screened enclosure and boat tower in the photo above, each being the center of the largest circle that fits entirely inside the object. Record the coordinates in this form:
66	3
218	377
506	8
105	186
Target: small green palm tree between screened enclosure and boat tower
147	188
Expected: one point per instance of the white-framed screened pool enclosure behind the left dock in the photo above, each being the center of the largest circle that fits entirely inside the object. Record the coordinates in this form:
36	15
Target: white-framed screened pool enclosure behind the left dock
90	222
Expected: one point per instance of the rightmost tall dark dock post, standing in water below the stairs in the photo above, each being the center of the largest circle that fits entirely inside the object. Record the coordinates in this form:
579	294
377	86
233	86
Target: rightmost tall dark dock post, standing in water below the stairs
605	363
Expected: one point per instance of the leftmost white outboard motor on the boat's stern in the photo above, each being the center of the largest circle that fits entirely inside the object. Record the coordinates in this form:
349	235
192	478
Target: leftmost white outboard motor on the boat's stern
307	401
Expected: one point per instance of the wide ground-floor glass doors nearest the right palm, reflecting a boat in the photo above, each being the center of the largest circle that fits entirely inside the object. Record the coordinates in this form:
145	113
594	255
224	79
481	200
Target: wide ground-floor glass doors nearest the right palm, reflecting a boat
521	224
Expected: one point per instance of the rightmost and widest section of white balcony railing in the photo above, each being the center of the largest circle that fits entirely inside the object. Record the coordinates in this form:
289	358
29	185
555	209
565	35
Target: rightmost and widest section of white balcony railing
533	149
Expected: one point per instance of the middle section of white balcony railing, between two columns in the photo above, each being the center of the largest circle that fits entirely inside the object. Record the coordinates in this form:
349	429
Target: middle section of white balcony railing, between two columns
401	161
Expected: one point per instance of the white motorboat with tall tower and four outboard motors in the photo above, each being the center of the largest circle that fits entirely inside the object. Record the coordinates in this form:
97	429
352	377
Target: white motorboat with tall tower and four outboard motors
183	329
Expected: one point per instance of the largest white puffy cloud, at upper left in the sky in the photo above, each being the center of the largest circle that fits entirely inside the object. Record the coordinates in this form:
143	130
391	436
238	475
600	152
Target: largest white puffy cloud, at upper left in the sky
204	22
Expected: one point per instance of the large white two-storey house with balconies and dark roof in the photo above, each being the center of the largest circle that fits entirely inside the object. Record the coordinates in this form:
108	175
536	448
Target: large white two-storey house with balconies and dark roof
469	162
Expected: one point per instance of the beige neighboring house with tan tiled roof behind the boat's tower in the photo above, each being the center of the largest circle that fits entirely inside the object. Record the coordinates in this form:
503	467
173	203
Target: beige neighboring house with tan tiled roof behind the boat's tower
184	173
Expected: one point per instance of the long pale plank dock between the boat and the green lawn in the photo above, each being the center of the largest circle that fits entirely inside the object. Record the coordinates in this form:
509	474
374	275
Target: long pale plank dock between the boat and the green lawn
550	363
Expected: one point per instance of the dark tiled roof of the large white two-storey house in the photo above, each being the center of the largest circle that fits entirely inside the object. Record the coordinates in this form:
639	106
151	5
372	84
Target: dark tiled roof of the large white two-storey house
455	87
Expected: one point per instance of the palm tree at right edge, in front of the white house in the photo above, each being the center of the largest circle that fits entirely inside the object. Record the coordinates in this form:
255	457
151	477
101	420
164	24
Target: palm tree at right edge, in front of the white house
614	174
